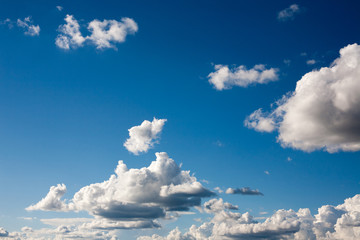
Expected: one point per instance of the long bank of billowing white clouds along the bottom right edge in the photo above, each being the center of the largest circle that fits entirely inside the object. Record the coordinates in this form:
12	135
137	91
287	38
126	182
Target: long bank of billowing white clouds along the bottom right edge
331	222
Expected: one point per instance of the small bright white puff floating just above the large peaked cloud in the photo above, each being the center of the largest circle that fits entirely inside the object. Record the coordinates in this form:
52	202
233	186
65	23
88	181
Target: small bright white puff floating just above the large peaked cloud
144	136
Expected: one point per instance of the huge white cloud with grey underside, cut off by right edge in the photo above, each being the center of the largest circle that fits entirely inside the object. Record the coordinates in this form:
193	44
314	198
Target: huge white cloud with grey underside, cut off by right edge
323	112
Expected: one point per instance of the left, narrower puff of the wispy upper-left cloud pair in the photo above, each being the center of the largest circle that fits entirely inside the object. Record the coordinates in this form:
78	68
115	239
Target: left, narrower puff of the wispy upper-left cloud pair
70	35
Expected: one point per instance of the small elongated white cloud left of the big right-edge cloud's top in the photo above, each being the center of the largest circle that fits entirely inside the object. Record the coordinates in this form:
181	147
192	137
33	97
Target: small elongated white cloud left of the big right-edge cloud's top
225	77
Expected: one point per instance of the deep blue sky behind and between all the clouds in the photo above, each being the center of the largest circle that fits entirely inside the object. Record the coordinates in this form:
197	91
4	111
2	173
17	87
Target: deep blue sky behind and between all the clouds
66	112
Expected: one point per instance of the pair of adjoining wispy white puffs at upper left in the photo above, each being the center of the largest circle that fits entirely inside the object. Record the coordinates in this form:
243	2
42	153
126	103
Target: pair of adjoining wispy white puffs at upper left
104	34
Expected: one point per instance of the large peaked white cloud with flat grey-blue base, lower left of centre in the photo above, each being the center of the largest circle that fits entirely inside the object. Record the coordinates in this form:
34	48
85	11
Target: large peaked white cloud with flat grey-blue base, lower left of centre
130	195
